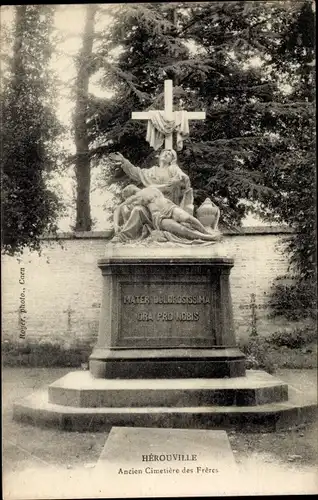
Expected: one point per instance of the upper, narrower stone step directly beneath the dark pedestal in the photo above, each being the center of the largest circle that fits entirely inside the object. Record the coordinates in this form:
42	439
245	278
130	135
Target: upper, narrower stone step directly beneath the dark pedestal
80	389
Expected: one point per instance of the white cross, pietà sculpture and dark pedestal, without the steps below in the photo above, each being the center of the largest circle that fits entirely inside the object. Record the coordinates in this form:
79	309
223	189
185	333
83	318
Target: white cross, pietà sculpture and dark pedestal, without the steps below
166	310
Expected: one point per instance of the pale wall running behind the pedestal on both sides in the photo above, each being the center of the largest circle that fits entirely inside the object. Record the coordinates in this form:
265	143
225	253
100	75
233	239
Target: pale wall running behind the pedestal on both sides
59	293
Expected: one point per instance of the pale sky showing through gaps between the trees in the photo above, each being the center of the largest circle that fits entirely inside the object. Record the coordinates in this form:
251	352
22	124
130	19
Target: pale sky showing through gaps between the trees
69	22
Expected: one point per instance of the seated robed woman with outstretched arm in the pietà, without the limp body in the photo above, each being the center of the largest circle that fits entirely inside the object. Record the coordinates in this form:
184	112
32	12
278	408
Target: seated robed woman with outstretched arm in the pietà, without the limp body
137	222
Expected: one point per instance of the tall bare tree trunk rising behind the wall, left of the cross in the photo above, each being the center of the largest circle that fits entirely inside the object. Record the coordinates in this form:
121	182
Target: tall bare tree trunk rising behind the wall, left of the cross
82	165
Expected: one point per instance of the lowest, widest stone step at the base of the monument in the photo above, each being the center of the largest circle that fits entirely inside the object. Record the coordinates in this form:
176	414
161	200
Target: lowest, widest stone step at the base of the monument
37	410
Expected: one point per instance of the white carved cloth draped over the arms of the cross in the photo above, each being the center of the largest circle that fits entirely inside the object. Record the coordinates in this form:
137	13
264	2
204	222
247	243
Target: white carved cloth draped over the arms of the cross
158	127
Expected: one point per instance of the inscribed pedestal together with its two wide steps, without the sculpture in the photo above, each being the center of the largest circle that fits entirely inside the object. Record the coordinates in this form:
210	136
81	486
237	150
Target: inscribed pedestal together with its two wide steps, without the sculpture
166	354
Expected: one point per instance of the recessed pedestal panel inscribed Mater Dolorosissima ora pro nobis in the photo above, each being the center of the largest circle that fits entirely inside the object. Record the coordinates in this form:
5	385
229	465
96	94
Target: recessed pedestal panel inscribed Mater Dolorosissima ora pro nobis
165	312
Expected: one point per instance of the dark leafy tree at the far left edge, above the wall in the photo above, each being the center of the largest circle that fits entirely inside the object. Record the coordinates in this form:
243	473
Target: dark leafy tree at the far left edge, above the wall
29	127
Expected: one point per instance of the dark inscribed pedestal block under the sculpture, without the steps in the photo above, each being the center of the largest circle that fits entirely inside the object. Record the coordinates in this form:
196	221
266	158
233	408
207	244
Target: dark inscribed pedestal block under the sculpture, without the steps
166	314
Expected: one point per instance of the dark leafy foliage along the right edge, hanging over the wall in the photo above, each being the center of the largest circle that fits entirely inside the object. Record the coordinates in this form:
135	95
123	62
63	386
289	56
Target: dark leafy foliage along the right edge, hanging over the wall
290	168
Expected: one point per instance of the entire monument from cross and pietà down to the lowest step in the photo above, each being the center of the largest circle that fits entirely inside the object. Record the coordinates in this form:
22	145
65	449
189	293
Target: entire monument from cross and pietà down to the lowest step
166	354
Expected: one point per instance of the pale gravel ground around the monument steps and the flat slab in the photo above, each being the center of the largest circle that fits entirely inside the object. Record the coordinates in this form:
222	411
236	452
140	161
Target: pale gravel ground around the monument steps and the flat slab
47	463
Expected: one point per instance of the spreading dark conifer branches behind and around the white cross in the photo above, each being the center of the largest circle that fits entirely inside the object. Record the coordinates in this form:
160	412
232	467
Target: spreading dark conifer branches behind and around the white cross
156	42
